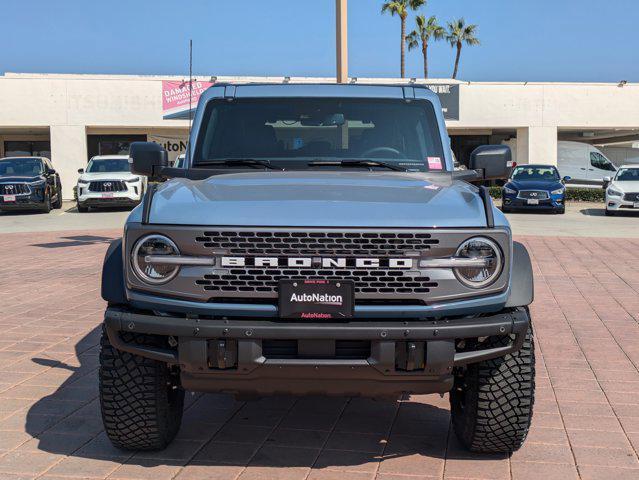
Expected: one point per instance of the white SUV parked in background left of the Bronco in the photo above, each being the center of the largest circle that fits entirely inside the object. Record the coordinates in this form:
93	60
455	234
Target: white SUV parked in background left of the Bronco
108	182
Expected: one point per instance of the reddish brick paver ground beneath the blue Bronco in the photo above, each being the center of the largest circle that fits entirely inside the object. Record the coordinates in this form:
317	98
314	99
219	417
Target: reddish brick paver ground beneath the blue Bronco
586	420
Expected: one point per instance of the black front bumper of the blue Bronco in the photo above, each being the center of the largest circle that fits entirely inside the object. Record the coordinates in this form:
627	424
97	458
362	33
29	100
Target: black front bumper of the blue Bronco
252	372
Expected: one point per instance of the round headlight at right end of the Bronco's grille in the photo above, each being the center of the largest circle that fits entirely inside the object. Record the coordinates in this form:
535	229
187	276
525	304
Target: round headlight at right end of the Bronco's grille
479	248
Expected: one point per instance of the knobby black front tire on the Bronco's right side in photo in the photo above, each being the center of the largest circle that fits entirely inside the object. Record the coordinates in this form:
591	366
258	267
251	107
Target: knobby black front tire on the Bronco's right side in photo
492	401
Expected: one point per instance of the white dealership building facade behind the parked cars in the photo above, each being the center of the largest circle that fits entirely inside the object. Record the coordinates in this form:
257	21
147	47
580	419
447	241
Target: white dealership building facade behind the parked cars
70	118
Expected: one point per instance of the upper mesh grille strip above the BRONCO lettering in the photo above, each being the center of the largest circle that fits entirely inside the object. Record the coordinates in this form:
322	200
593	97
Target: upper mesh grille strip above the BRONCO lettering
316	243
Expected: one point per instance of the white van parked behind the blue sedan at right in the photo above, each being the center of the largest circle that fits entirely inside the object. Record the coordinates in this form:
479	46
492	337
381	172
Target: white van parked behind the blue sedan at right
584	164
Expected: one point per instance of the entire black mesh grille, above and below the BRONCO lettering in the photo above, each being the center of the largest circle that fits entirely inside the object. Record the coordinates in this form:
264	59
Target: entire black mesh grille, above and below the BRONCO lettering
373	280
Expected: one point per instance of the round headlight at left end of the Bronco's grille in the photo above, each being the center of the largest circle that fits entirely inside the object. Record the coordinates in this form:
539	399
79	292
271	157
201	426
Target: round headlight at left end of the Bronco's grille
154	272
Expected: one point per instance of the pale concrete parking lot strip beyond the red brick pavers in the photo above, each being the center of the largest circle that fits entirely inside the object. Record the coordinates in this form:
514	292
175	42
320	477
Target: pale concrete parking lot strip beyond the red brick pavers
581	219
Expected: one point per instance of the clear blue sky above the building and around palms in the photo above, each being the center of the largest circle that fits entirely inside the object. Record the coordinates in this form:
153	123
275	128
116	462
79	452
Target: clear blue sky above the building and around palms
560	40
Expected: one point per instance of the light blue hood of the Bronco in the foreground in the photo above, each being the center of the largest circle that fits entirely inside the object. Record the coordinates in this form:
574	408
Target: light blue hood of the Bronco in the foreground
319	199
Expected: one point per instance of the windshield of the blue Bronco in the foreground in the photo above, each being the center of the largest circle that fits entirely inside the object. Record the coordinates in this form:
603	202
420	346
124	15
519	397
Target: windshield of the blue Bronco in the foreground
290	132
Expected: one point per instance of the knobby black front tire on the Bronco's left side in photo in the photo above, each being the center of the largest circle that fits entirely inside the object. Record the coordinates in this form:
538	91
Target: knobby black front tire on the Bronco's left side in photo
141	399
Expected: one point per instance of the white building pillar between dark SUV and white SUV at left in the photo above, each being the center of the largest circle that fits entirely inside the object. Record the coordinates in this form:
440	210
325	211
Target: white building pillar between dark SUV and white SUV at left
68	154
